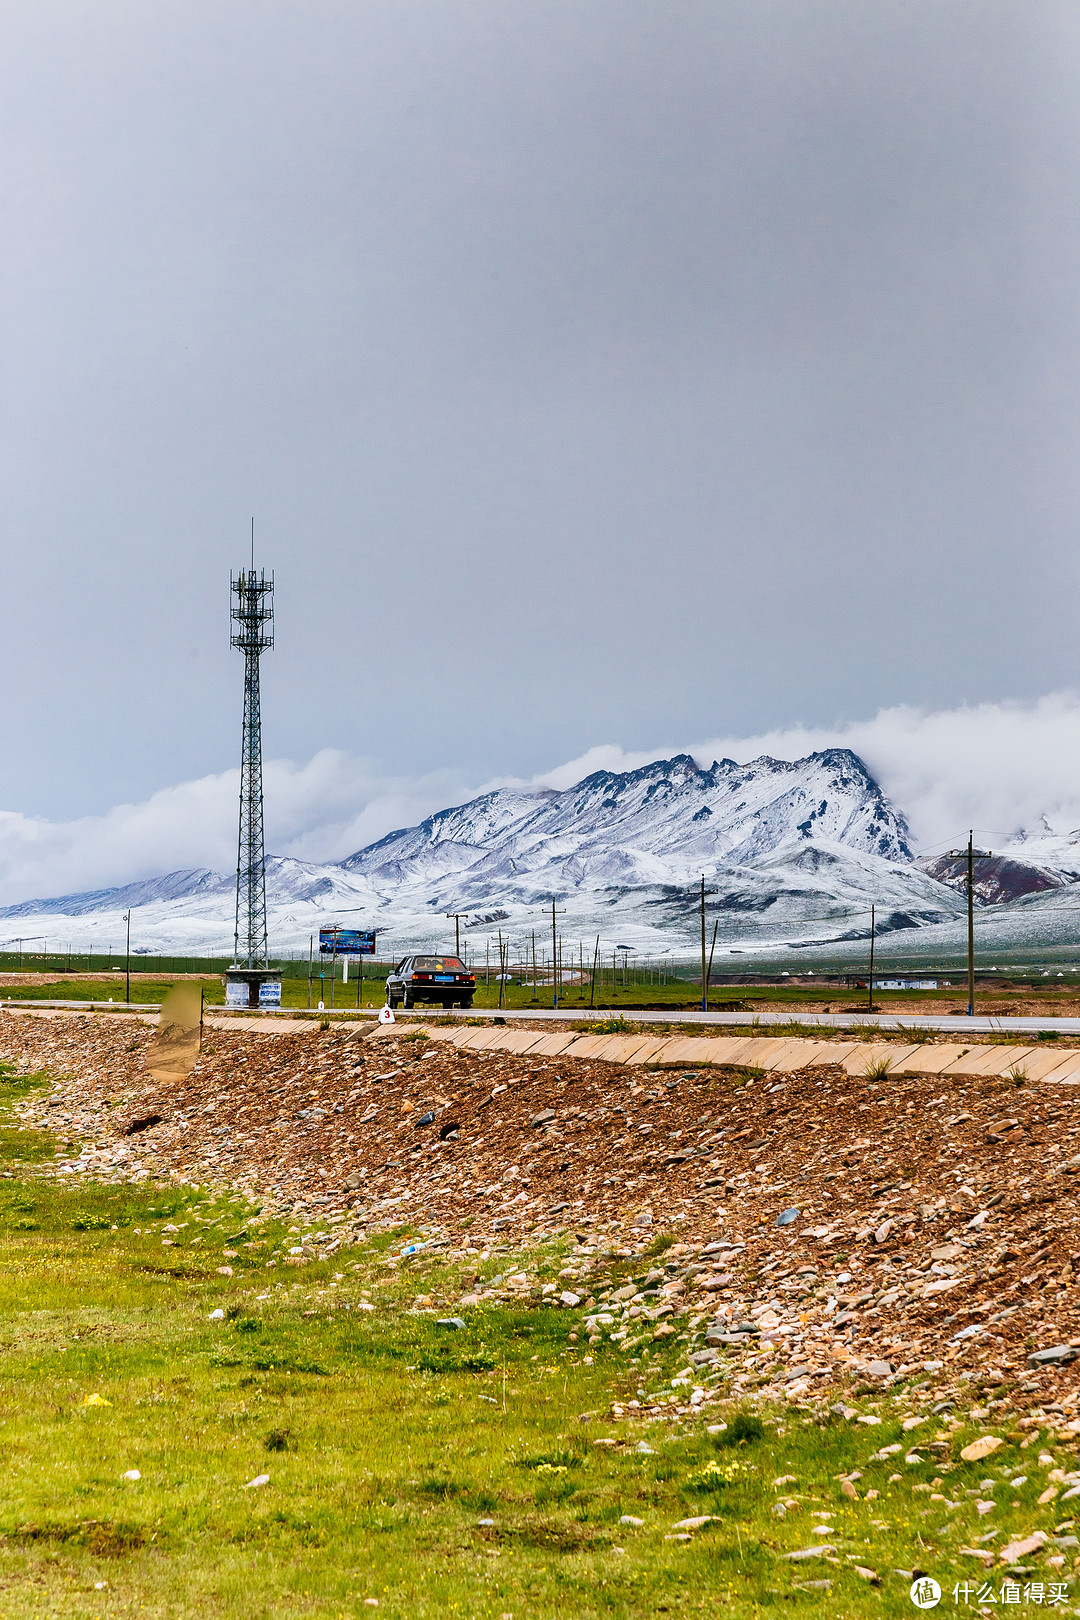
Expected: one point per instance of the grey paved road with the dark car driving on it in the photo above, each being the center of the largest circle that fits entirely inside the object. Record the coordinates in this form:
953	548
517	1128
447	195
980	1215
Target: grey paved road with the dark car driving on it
945	1023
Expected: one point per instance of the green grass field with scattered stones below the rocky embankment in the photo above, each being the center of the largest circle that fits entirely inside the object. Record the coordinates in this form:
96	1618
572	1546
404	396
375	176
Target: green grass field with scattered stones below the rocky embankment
412	1469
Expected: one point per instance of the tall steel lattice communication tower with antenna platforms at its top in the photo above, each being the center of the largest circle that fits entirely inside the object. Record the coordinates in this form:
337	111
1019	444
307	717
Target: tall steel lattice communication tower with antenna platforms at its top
253	620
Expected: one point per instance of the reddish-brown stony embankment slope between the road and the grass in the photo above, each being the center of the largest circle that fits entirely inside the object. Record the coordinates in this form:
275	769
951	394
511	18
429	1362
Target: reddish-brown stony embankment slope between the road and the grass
807	1238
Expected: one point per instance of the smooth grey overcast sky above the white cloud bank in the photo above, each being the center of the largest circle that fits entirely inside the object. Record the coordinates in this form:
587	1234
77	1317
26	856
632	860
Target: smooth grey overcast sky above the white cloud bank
597	373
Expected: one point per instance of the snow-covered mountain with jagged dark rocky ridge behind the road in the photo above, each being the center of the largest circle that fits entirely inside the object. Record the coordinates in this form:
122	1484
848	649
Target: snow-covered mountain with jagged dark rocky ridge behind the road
789	850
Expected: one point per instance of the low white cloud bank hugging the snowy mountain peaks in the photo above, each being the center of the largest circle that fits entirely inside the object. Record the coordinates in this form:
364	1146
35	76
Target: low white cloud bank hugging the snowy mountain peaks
997	767
